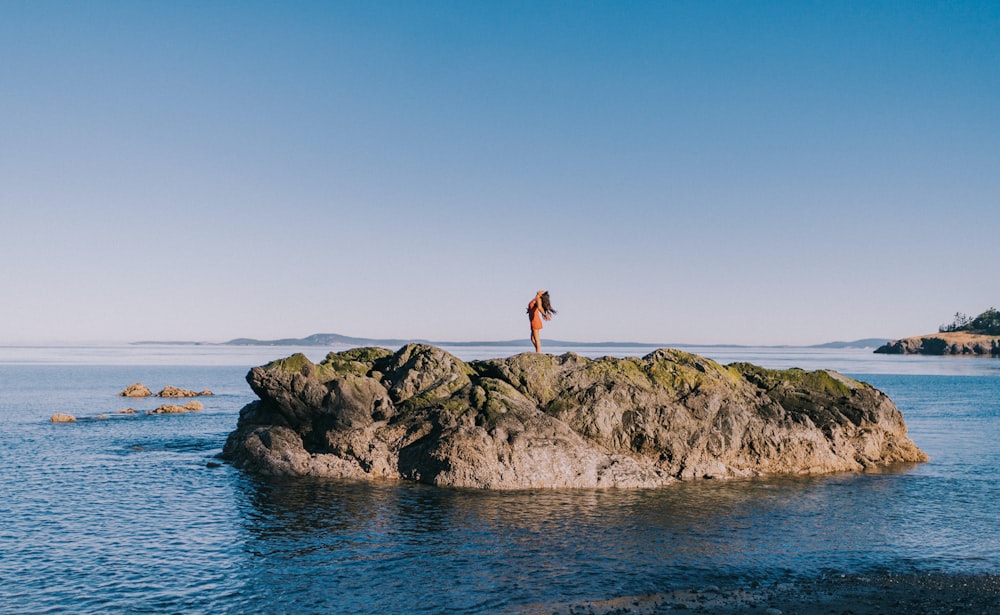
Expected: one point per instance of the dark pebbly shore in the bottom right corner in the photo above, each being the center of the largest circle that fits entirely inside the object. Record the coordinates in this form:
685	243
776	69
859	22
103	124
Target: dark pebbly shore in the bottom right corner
915	593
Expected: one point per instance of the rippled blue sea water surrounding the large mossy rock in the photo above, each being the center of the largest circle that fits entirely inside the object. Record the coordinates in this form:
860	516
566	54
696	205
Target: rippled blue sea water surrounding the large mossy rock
134	513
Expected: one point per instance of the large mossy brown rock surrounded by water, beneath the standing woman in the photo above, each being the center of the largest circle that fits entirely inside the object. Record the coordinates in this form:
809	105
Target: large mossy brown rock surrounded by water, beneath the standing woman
536	420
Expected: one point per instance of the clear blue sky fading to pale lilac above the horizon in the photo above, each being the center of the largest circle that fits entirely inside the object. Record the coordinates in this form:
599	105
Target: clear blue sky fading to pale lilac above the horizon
672	172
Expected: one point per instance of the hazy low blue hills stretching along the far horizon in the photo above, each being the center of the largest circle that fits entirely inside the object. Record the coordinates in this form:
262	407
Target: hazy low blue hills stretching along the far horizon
335	339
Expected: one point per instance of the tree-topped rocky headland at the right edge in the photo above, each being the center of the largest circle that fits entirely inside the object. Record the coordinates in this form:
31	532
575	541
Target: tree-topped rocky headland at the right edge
979	336
